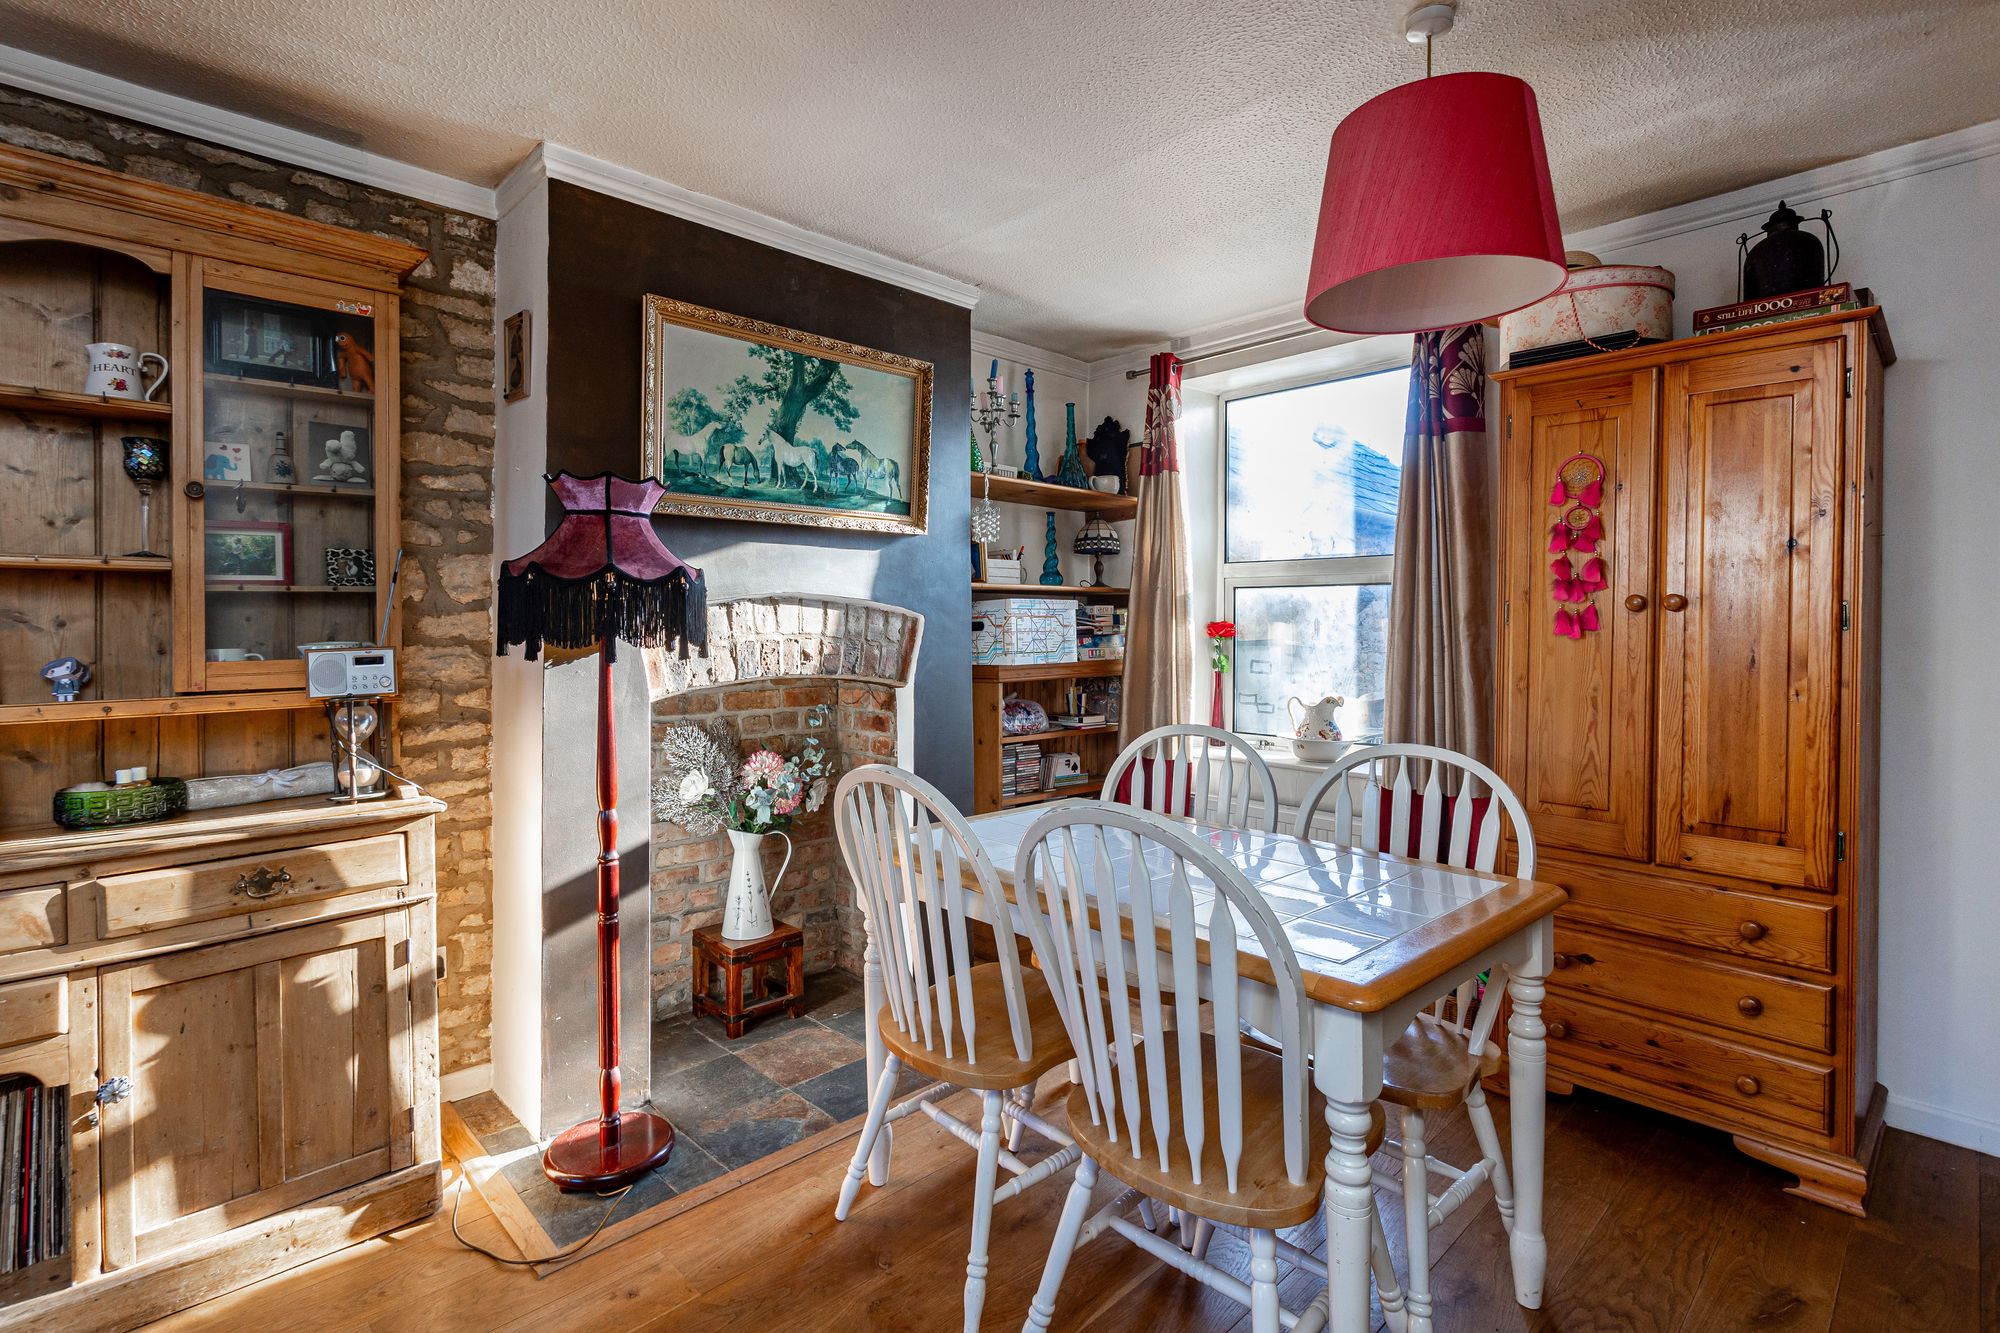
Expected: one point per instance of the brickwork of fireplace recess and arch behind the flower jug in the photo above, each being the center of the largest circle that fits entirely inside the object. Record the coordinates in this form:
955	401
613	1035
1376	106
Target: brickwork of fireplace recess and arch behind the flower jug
815	894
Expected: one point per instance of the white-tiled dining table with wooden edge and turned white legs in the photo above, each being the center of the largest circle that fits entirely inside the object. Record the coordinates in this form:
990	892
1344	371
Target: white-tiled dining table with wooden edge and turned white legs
1379	938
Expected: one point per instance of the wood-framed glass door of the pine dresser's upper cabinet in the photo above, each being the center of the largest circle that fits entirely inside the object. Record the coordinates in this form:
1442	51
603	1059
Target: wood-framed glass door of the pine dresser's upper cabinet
299	479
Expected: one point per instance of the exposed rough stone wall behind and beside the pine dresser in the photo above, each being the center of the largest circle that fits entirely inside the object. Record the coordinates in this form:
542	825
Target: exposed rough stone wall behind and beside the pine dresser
447	489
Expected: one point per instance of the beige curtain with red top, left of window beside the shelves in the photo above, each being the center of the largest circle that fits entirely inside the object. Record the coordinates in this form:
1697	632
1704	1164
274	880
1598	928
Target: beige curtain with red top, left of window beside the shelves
1159	680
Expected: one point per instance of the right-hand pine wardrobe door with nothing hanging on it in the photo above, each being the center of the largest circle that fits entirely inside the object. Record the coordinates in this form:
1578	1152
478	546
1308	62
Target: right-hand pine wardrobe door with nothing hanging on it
1751	603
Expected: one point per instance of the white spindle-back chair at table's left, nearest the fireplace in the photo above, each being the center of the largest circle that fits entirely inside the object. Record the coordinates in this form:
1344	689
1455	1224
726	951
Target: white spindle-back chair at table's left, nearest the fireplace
991	1028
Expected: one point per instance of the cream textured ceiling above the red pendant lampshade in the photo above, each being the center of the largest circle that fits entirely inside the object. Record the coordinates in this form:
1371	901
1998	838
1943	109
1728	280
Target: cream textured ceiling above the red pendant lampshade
1107	171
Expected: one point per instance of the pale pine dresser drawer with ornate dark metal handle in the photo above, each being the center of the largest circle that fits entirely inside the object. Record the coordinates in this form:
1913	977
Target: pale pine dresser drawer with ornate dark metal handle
175	896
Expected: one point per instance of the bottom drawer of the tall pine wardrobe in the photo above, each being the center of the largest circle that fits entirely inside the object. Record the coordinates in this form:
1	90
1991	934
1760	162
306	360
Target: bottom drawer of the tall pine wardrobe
1685	1070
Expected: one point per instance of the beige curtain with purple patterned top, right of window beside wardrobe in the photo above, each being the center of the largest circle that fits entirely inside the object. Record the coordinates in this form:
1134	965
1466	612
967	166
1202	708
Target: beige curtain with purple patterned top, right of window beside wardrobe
1441	609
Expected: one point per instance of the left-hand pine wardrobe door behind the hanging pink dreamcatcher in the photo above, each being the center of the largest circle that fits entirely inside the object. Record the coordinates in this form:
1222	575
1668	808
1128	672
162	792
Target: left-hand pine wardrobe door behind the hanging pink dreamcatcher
1579	712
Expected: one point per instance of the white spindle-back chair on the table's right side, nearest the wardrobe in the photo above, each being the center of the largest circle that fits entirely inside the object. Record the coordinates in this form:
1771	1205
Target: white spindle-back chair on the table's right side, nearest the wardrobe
1455	816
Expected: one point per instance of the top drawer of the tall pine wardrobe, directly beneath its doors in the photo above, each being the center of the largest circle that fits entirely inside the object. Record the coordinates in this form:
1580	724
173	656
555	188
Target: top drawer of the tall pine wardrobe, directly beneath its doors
1747	926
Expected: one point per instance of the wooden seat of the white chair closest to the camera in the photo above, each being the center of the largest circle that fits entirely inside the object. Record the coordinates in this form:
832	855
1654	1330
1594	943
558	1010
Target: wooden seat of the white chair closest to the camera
1265	1198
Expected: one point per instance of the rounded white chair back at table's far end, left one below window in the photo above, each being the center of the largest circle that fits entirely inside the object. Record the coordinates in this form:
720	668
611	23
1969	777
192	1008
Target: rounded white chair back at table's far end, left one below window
1189	772
